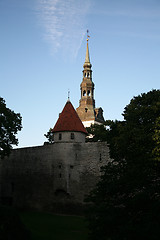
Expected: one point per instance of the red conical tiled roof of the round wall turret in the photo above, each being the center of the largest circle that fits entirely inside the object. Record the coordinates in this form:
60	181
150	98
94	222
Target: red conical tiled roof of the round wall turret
69	120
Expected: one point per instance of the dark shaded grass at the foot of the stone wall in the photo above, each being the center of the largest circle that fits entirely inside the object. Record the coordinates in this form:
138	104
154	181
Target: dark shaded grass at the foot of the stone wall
45	226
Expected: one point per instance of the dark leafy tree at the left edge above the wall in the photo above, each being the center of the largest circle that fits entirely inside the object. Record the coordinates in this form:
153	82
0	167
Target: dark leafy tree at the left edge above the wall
10	124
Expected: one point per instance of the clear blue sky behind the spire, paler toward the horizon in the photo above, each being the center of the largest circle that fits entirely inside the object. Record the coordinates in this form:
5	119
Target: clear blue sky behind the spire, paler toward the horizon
42	51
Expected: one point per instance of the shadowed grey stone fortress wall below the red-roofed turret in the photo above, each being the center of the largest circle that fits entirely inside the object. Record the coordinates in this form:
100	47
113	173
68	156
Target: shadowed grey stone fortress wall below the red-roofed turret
51	176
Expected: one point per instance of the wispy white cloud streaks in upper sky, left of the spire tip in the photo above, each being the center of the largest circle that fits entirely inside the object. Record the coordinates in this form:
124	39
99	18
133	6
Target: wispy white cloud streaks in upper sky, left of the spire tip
64	23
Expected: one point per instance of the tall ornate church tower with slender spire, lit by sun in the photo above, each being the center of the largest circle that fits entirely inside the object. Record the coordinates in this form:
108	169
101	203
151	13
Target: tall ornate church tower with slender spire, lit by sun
86	110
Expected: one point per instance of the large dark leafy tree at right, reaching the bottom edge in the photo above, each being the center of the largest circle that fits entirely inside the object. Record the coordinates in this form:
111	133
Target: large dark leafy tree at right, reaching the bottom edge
125	204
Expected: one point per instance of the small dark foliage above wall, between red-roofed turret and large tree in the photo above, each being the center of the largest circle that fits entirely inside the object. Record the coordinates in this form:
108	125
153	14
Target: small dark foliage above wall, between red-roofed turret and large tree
96	133
